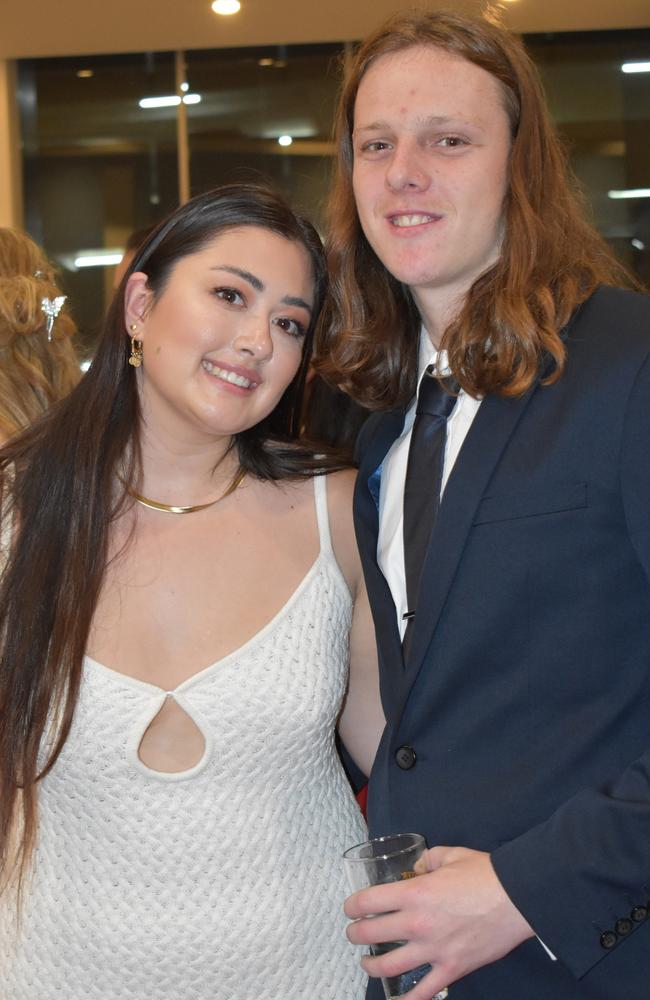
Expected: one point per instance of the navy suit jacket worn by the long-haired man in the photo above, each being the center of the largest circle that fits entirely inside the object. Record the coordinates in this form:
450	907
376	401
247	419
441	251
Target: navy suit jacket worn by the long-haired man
526	695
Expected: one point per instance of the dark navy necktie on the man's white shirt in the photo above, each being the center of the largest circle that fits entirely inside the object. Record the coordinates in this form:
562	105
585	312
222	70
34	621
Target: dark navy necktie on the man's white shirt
423	482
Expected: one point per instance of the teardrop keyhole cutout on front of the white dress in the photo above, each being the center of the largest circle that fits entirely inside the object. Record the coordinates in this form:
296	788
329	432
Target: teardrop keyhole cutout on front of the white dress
172	741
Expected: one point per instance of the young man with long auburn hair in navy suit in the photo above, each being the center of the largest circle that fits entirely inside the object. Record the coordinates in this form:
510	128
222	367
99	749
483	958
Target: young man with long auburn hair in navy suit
506	538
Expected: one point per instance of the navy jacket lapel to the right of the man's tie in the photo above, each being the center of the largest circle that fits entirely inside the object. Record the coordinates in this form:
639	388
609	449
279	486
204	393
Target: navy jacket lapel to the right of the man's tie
485	442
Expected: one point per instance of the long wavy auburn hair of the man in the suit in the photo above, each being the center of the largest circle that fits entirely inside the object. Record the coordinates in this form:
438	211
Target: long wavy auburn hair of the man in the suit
551	258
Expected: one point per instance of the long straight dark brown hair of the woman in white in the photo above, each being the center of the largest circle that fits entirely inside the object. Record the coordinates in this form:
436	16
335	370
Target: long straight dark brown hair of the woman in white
60	497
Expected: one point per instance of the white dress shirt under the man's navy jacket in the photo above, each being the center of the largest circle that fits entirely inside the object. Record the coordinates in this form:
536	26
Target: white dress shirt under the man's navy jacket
390	541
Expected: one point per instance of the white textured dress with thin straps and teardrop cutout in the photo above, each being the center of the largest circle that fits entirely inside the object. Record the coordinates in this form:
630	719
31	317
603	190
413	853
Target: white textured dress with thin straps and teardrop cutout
223	882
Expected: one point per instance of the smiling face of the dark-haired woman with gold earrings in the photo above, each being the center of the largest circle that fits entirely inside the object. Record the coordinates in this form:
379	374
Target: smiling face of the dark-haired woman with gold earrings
224	338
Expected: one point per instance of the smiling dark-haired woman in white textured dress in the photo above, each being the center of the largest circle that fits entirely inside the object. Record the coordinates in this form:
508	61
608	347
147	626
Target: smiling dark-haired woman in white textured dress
175	616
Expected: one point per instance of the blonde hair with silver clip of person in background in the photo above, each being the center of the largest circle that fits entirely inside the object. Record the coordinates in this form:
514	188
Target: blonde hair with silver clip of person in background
38	363
